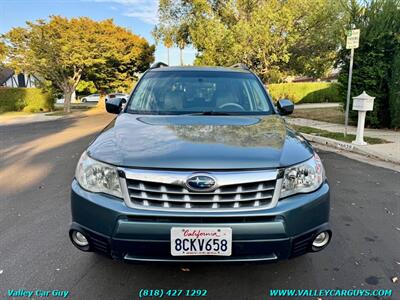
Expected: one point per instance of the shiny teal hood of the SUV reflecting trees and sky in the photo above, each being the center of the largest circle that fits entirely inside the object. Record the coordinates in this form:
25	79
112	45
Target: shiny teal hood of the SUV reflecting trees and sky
199	142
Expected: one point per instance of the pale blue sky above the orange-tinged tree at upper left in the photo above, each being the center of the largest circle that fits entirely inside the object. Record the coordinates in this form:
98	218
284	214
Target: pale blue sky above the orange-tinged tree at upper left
140	16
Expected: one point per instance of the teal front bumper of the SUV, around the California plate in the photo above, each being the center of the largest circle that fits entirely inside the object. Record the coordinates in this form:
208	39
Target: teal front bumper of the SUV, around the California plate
136	235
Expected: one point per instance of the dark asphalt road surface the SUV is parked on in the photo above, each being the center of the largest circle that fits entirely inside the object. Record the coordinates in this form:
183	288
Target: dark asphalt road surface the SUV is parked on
37	164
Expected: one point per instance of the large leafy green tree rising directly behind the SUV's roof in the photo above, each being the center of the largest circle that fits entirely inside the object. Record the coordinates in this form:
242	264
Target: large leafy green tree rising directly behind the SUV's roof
270	36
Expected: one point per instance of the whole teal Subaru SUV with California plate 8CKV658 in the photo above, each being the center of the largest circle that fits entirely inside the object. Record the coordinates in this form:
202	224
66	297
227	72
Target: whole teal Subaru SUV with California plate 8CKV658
199	165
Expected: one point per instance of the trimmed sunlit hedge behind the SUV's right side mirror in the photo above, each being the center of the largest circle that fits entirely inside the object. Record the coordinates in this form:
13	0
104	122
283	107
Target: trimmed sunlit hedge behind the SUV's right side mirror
305	92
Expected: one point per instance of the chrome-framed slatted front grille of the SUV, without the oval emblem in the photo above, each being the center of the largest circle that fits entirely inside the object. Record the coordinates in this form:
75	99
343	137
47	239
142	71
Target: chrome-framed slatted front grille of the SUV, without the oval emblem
166	191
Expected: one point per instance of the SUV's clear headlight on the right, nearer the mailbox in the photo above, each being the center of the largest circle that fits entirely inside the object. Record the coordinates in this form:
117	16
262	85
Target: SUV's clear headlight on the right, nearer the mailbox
303	178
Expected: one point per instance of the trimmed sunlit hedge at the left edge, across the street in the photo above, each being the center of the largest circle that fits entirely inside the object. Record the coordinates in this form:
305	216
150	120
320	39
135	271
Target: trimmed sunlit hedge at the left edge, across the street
25	99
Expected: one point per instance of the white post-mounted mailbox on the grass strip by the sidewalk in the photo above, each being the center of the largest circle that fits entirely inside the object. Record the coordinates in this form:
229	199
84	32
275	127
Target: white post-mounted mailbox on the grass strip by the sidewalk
362	103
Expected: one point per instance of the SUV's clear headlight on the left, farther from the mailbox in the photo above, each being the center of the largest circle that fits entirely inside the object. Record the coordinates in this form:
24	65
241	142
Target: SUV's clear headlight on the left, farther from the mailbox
97	177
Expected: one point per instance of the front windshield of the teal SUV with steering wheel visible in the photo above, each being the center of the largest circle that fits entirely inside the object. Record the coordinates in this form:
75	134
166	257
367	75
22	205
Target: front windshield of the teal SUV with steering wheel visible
199	92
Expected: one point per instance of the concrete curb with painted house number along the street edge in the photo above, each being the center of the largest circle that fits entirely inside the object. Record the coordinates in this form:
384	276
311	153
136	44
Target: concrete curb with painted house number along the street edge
348	147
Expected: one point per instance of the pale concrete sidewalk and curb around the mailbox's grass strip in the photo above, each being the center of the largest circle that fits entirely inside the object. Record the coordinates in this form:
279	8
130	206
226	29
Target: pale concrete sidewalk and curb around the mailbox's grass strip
387	152
